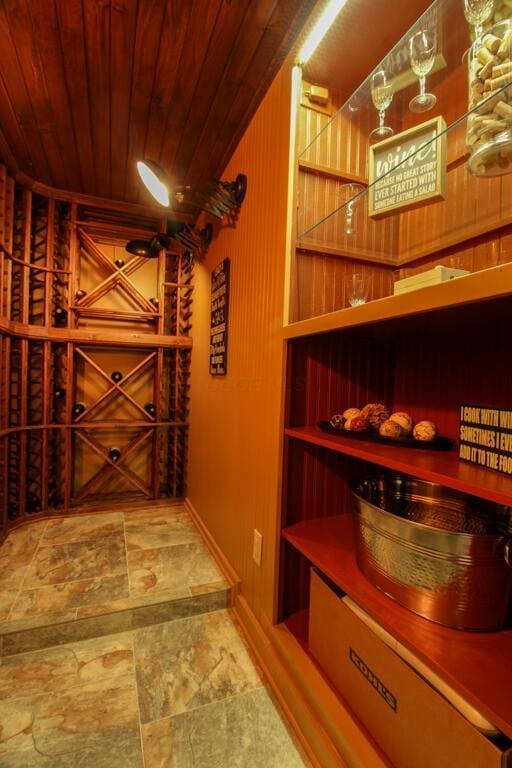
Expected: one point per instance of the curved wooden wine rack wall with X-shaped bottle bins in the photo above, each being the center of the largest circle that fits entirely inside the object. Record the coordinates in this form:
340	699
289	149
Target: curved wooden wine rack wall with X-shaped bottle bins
95	353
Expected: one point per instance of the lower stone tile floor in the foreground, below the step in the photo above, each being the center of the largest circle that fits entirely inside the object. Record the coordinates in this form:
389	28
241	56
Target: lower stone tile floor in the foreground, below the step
184	694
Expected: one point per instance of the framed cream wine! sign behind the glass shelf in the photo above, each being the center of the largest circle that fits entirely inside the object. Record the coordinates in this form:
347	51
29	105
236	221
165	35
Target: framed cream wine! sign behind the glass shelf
412	165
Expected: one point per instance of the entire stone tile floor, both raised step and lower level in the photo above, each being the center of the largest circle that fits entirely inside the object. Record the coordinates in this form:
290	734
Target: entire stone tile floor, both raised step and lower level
118	652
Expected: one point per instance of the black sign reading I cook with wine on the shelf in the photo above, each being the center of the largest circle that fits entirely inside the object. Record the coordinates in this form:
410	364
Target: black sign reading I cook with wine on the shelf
486	437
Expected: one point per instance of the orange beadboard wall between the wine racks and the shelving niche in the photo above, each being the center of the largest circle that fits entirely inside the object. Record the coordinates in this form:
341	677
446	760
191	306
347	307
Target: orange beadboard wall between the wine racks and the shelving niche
235	450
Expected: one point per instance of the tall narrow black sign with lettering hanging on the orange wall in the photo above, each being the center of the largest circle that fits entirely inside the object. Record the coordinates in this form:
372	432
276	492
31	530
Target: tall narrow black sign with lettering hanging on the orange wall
219	319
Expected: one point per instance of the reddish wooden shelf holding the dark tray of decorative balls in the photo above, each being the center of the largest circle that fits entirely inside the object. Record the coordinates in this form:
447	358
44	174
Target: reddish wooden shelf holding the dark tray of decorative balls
442	467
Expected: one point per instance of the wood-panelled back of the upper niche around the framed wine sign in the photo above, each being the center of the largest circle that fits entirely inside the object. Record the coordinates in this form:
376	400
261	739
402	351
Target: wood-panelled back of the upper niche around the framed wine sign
338	237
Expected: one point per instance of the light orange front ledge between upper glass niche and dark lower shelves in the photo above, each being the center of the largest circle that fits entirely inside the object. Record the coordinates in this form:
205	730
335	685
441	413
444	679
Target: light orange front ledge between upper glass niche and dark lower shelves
477	287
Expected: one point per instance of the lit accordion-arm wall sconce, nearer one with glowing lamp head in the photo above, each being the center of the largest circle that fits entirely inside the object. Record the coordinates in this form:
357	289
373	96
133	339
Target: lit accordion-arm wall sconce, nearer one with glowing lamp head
215	197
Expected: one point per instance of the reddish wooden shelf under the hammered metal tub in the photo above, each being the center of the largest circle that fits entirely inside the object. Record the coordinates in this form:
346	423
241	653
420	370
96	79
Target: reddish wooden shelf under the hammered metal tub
477	665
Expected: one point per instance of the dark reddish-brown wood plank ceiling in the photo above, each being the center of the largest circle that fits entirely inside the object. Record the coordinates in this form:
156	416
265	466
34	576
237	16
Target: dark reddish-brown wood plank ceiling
87	87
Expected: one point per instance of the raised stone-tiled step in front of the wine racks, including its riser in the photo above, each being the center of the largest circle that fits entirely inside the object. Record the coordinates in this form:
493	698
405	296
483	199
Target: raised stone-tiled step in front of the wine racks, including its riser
86	576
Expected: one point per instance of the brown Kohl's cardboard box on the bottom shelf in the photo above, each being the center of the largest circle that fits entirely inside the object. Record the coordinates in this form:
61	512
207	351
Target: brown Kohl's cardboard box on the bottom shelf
412	723
